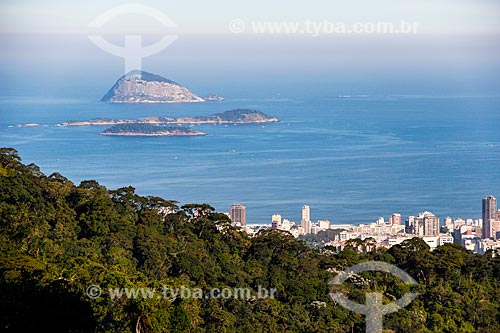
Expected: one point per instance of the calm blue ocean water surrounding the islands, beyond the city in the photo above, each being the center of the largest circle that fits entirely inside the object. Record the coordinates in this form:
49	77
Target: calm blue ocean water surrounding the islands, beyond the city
351	159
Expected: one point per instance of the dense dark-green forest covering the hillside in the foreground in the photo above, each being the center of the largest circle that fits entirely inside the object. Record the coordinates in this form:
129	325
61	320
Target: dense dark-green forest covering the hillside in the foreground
58	238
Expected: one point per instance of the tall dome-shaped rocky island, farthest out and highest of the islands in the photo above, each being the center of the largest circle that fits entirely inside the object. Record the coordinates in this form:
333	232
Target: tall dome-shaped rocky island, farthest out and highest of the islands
143	87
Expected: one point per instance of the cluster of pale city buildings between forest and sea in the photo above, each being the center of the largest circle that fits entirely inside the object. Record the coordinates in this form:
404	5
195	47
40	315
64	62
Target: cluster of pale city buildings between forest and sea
469	233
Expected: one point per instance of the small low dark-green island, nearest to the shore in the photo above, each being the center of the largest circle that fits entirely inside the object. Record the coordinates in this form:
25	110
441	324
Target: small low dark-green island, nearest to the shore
141	129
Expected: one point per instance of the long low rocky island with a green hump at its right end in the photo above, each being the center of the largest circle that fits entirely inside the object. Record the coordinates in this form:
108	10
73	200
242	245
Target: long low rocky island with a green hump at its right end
237	116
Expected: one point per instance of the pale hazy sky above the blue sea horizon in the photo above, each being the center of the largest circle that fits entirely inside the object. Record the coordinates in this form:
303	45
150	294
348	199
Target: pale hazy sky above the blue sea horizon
457	41
